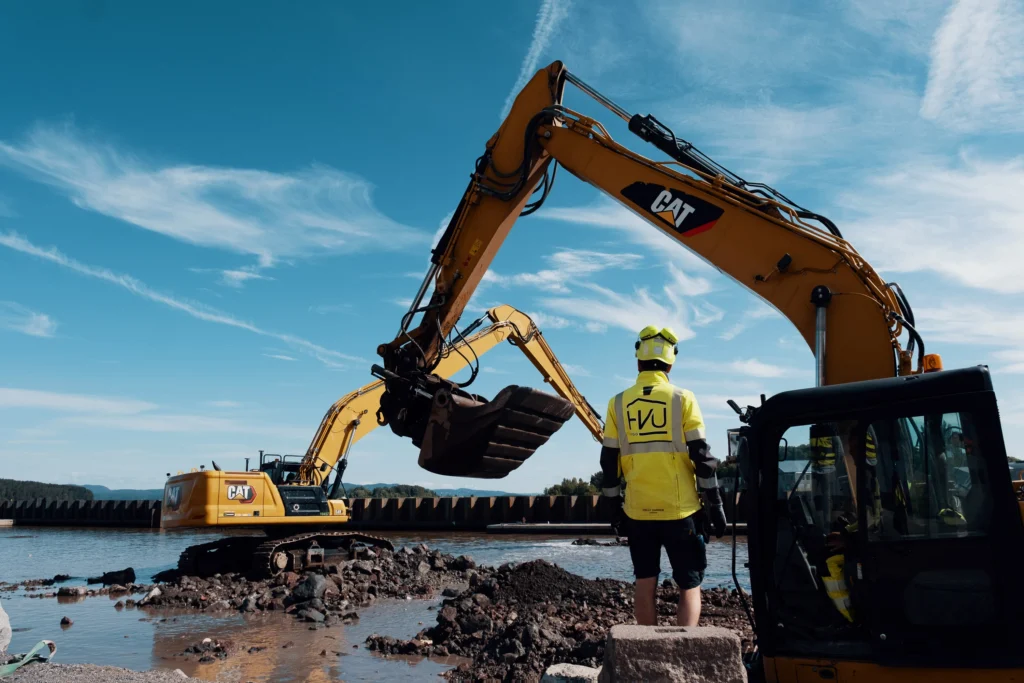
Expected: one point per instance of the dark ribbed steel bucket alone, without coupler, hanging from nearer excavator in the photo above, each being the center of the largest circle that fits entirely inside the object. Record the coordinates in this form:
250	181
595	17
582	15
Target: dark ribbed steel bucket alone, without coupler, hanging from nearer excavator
489	440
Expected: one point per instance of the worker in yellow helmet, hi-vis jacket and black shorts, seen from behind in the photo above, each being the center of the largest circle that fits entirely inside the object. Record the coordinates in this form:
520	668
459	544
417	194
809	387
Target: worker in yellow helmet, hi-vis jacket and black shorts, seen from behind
655	438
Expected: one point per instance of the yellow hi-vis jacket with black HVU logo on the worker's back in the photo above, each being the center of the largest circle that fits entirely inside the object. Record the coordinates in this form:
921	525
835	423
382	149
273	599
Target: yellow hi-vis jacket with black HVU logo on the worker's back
651	424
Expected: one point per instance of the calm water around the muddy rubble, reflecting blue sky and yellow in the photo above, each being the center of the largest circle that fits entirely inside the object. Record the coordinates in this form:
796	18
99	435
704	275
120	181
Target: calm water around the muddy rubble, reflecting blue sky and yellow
142	641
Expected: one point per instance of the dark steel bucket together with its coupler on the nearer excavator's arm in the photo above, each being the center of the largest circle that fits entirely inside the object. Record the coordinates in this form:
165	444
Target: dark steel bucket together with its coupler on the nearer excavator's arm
464	435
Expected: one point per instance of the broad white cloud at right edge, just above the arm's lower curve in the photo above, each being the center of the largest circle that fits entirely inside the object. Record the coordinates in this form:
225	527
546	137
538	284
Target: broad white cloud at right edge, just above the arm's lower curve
962	221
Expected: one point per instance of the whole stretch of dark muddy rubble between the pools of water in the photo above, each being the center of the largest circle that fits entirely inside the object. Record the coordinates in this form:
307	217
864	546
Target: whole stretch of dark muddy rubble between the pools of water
511	622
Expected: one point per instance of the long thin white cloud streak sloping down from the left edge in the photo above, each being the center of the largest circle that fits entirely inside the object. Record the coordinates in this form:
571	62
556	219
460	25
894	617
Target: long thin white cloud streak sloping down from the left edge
325	356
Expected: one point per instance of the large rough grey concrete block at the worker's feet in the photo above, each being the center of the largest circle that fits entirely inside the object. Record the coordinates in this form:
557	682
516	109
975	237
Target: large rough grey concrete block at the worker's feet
679	655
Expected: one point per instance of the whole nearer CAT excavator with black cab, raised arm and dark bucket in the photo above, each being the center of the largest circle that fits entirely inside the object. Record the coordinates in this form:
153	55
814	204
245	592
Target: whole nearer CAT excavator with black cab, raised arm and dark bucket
907	480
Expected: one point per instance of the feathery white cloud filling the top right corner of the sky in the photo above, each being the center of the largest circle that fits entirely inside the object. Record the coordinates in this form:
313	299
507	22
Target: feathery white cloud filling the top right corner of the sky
976	79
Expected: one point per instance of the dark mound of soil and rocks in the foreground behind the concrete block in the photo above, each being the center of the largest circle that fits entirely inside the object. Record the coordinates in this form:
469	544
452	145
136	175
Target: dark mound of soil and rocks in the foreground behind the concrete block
518	621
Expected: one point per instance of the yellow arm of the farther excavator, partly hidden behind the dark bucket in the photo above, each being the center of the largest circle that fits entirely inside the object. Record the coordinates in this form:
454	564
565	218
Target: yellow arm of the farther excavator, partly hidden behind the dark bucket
354	416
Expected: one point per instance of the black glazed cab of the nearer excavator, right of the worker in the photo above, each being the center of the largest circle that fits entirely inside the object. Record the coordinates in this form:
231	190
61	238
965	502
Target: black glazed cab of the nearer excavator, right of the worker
884	530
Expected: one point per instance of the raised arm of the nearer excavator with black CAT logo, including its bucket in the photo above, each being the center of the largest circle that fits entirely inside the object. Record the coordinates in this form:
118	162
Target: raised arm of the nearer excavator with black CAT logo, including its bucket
793	259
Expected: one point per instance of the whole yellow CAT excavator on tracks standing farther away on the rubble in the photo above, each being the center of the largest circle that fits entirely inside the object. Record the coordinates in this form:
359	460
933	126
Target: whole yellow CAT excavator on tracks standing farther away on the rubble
295	501
